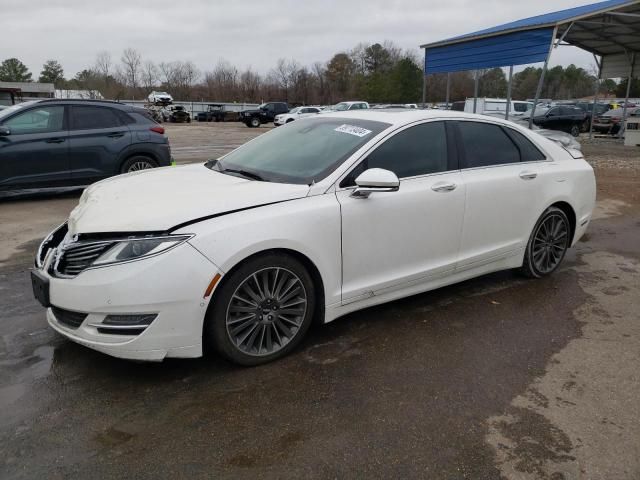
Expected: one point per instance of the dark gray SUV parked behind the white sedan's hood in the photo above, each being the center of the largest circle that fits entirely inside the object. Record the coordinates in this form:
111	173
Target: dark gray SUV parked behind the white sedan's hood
64	143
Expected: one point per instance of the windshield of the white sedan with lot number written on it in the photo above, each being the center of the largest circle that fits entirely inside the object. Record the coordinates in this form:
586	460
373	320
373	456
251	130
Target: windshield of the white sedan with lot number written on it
301	152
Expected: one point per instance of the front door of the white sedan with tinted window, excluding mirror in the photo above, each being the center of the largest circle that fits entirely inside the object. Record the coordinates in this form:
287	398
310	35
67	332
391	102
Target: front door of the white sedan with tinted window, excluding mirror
392	241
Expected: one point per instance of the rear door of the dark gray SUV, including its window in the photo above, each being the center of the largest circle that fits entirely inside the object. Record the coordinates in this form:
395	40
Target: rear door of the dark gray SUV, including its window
97	137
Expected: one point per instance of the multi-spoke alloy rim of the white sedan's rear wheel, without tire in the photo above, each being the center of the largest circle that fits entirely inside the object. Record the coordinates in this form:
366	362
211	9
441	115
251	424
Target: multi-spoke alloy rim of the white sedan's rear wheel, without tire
550	243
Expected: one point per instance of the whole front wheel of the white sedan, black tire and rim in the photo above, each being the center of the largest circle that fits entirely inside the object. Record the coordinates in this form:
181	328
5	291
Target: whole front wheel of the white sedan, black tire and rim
262	310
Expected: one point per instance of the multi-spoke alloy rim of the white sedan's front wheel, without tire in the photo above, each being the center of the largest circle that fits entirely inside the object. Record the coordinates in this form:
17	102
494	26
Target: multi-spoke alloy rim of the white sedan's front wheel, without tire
266	311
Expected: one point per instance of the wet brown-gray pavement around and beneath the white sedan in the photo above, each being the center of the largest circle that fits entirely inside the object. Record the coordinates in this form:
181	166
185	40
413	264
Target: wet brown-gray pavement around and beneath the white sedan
498	377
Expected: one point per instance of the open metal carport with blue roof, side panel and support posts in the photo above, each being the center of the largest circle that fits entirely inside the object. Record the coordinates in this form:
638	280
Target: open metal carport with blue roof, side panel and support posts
609	30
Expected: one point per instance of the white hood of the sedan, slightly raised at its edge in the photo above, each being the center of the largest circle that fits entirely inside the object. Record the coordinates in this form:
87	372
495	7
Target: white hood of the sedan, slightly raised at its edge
157	200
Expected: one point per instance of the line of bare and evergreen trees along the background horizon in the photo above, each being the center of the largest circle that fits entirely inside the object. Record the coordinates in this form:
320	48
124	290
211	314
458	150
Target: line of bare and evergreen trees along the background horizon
378	73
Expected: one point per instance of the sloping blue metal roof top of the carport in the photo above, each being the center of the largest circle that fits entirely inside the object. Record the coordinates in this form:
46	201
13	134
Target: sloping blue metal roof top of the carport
548	19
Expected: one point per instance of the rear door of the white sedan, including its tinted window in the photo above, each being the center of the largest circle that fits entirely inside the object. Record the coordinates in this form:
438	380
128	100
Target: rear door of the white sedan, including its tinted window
501	170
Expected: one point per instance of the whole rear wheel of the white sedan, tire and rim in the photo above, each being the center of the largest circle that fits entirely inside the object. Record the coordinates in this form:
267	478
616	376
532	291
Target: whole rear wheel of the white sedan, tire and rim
548	244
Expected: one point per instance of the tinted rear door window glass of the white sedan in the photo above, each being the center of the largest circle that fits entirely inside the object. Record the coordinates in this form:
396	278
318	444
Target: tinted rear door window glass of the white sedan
486	145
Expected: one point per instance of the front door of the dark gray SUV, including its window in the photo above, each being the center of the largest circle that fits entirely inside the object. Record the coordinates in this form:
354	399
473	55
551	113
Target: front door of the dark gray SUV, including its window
35	153
